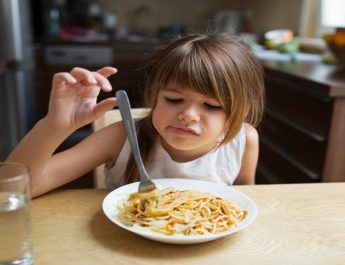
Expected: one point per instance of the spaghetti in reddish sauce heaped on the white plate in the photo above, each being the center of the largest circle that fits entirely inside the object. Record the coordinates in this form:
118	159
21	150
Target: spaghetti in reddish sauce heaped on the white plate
170	211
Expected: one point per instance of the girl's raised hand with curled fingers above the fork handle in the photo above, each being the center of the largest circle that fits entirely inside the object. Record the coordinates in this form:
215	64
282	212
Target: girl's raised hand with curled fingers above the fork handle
73	100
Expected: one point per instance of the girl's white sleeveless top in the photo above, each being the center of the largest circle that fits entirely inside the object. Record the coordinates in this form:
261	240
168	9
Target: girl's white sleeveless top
221	165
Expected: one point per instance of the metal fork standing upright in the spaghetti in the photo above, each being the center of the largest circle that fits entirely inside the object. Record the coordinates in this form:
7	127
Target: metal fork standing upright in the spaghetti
145	184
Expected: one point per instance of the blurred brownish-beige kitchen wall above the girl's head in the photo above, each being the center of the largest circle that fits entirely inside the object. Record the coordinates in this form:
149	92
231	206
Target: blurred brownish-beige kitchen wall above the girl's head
195	14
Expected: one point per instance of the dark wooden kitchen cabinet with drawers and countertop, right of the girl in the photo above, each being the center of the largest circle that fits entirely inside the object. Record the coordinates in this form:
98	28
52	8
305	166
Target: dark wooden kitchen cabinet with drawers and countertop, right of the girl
302	137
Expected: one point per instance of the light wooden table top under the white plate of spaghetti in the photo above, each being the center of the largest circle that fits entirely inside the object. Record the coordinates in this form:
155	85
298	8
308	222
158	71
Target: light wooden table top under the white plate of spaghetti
296	224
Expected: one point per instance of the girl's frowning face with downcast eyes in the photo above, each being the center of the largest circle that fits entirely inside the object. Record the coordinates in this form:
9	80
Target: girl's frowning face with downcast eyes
189	123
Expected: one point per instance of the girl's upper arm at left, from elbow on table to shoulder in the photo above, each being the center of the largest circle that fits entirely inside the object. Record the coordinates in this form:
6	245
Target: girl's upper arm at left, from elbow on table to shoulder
101	146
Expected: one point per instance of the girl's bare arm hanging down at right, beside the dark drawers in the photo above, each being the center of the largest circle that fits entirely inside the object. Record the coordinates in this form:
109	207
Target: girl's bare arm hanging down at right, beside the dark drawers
250	158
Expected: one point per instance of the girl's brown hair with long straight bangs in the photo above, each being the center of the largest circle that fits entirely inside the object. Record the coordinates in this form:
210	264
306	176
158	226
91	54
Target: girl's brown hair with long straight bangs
215	64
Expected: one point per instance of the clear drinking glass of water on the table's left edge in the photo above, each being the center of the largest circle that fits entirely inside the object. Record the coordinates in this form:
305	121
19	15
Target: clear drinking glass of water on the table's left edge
15	225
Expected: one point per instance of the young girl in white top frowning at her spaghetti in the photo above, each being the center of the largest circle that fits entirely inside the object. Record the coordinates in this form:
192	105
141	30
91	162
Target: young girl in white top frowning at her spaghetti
203	90
